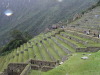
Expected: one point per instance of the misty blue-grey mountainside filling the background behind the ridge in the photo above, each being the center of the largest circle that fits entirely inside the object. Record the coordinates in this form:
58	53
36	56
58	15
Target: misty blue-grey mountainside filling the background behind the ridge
34	16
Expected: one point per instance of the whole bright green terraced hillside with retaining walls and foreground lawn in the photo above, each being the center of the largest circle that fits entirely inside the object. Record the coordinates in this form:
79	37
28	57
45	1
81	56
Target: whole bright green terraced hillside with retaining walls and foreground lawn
58	45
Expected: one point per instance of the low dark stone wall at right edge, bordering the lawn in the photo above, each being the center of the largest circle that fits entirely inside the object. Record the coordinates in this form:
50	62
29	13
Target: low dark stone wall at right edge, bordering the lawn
88	49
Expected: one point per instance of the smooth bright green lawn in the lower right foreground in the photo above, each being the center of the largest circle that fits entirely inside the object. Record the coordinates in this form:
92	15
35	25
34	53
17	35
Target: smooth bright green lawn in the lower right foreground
77	66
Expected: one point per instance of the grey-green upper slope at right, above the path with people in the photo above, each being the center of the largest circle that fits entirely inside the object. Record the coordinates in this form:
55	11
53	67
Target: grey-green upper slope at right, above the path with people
90	20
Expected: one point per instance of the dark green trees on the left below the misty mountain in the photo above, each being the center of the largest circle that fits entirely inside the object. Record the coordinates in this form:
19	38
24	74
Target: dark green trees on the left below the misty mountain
18	38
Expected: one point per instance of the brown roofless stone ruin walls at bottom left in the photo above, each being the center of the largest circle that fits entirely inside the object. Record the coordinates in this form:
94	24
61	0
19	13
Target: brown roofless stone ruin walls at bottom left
21	68
